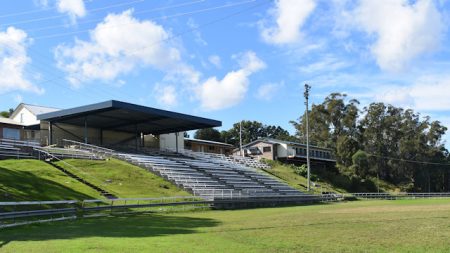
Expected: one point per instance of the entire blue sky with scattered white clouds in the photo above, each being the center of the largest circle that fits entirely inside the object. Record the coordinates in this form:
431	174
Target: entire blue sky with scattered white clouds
226	60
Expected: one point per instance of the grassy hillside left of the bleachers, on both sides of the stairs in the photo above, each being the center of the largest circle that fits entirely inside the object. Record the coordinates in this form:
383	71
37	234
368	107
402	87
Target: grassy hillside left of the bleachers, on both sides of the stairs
36	180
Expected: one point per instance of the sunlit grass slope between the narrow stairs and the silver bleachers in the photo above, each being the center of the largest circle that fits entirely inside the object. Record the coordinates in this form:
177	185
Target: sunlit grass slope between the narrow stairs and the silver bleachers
123	179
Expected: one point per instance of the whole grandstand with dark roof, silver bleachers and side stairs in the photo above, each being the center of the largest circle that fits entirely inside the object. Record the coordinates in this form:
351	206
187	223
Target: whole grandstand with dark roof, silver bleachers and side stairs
128	127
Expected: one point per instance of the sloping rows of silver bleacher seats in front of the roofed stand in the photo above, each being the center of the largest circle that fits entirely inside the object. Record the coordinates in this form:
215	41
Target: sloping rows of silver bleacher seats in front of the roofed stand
206	175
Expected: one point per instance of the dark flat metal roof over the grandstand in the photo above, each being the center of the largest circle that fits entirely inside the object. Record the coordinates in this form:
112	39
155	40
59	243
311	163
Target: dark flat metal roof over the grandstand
127	117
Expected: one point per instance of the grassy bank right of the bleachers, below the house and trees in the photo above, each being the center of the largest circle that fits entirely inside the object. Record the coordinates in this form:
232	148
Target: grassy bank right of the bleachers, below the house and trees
325	181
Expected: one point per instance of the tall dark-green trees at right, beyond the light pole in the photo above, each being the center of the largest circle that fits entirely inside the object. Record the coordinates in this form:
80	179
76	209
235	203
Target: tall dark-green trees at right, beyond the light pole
381	140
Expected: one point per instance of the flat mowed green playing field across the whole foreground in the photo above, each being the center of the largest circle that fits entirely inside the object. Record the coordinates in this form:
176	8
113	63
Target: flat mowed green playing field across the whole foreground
359	226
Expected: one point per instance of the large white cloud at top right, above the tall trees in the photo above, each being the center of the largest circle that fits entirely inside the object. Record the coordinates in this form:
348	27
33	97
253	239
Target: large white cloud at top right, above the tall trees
403	30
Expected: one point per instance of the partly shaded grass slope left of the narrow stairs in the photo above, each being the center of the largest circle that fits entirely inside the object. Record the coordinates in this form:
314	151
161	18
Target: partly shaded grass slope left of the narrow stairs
36	180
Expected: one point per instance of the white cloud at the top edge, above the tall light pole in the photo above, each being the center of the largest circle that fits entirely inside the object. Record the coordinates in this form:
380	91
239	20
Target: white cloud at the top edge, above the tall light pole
289	15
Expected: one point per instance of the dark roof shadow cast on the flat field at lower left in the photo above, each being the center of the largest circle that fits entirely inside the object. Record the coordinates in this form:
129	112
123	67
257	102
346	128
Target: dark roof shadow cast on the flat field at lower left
144	225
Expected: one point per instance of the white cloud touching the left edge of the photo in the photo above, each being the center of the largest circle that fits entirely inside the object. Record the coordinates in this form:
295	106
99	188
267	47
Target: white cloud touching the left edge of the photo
13	61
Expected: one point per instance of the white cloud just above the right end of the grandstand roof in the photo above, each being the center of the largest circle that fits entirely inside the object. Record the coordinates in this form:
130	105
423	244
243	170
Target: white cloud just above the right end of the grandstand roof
217	94
